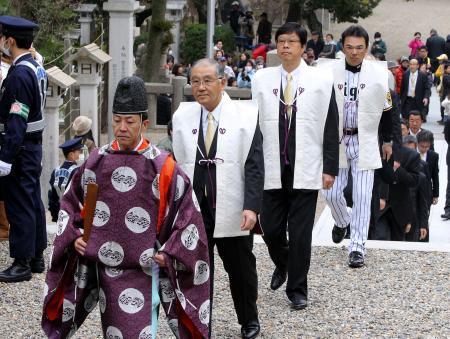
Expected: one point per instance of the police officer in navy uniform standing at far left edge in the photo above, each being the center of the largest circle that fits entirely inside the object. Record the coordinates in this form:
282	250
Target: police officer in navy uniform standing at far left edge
22	99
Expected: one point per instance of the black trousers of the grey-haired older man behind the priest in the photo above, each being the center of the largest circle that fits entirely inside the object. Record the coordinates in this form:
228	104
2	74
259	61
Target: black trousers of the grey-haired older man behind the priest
239	263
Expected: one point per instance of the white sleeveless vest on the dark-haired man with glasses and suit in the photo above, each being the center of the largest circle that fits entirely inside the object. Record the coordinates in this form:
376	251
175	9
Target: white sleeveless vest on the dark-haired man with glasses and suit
313	99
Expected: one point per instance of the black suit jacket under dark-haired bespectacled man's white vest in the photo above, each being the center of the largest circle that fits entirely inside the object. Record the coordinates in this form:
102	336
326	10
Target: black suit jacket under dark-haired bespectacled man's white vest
330	139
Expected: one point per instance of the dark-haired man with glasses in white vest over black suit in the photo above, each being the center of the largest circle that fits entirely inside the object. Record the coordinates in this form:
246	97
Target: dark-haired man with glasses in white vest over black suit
299	122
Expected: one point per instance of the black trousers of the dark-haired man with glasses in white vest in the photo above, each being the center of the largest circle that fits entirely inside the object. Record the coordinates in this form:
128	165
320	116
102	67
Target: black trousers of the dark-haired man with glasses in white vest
291	210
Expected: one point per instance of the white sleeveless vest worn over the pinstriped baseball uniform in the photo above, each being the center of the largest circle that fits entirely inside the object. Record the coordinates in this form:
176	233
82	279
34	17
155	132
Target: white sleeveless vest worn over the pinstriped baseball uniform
373	89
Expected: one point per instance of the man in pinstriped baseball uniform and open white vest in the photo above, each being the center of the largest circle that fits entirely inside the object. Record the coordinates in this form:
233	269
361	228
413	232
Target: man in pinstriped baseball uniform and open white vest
363	99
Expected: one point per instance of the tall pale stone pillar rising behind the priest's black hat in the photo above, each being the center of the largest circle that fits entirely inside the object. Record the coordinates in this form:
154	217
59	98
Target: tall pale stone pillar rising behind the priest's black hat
121	37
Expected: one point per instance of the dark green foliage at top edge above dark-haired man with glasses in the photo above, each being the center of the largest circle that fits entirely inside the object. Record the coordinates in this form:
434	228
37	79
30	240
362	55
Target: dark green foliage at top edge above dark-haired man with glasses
302	11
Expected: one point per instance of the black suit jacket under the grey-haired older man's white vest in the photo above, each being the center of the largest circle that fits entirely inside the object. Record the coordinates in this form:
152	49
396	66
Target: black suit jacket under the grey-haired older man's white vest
253	172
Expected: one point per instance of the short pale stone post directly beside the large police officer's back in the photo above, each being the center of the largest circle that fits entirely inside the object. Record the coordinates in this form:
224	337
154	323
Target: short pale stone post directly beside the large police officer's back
50	150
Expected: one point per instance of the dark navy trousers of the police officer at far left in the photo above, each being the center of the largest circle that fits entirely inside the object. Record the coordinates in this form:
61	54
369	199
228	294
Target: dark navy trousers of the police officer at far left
23	204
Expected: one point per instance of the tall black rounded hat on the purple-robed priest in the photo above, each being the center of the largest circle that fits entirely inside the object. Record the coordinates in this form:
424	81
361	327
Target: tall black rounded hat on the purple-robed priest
130	97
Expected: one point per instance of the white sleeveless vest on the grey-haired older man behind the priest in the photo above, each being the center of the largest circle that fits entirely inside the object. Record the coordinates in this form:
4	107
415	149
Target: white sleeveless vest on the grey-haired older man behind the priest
235	133
